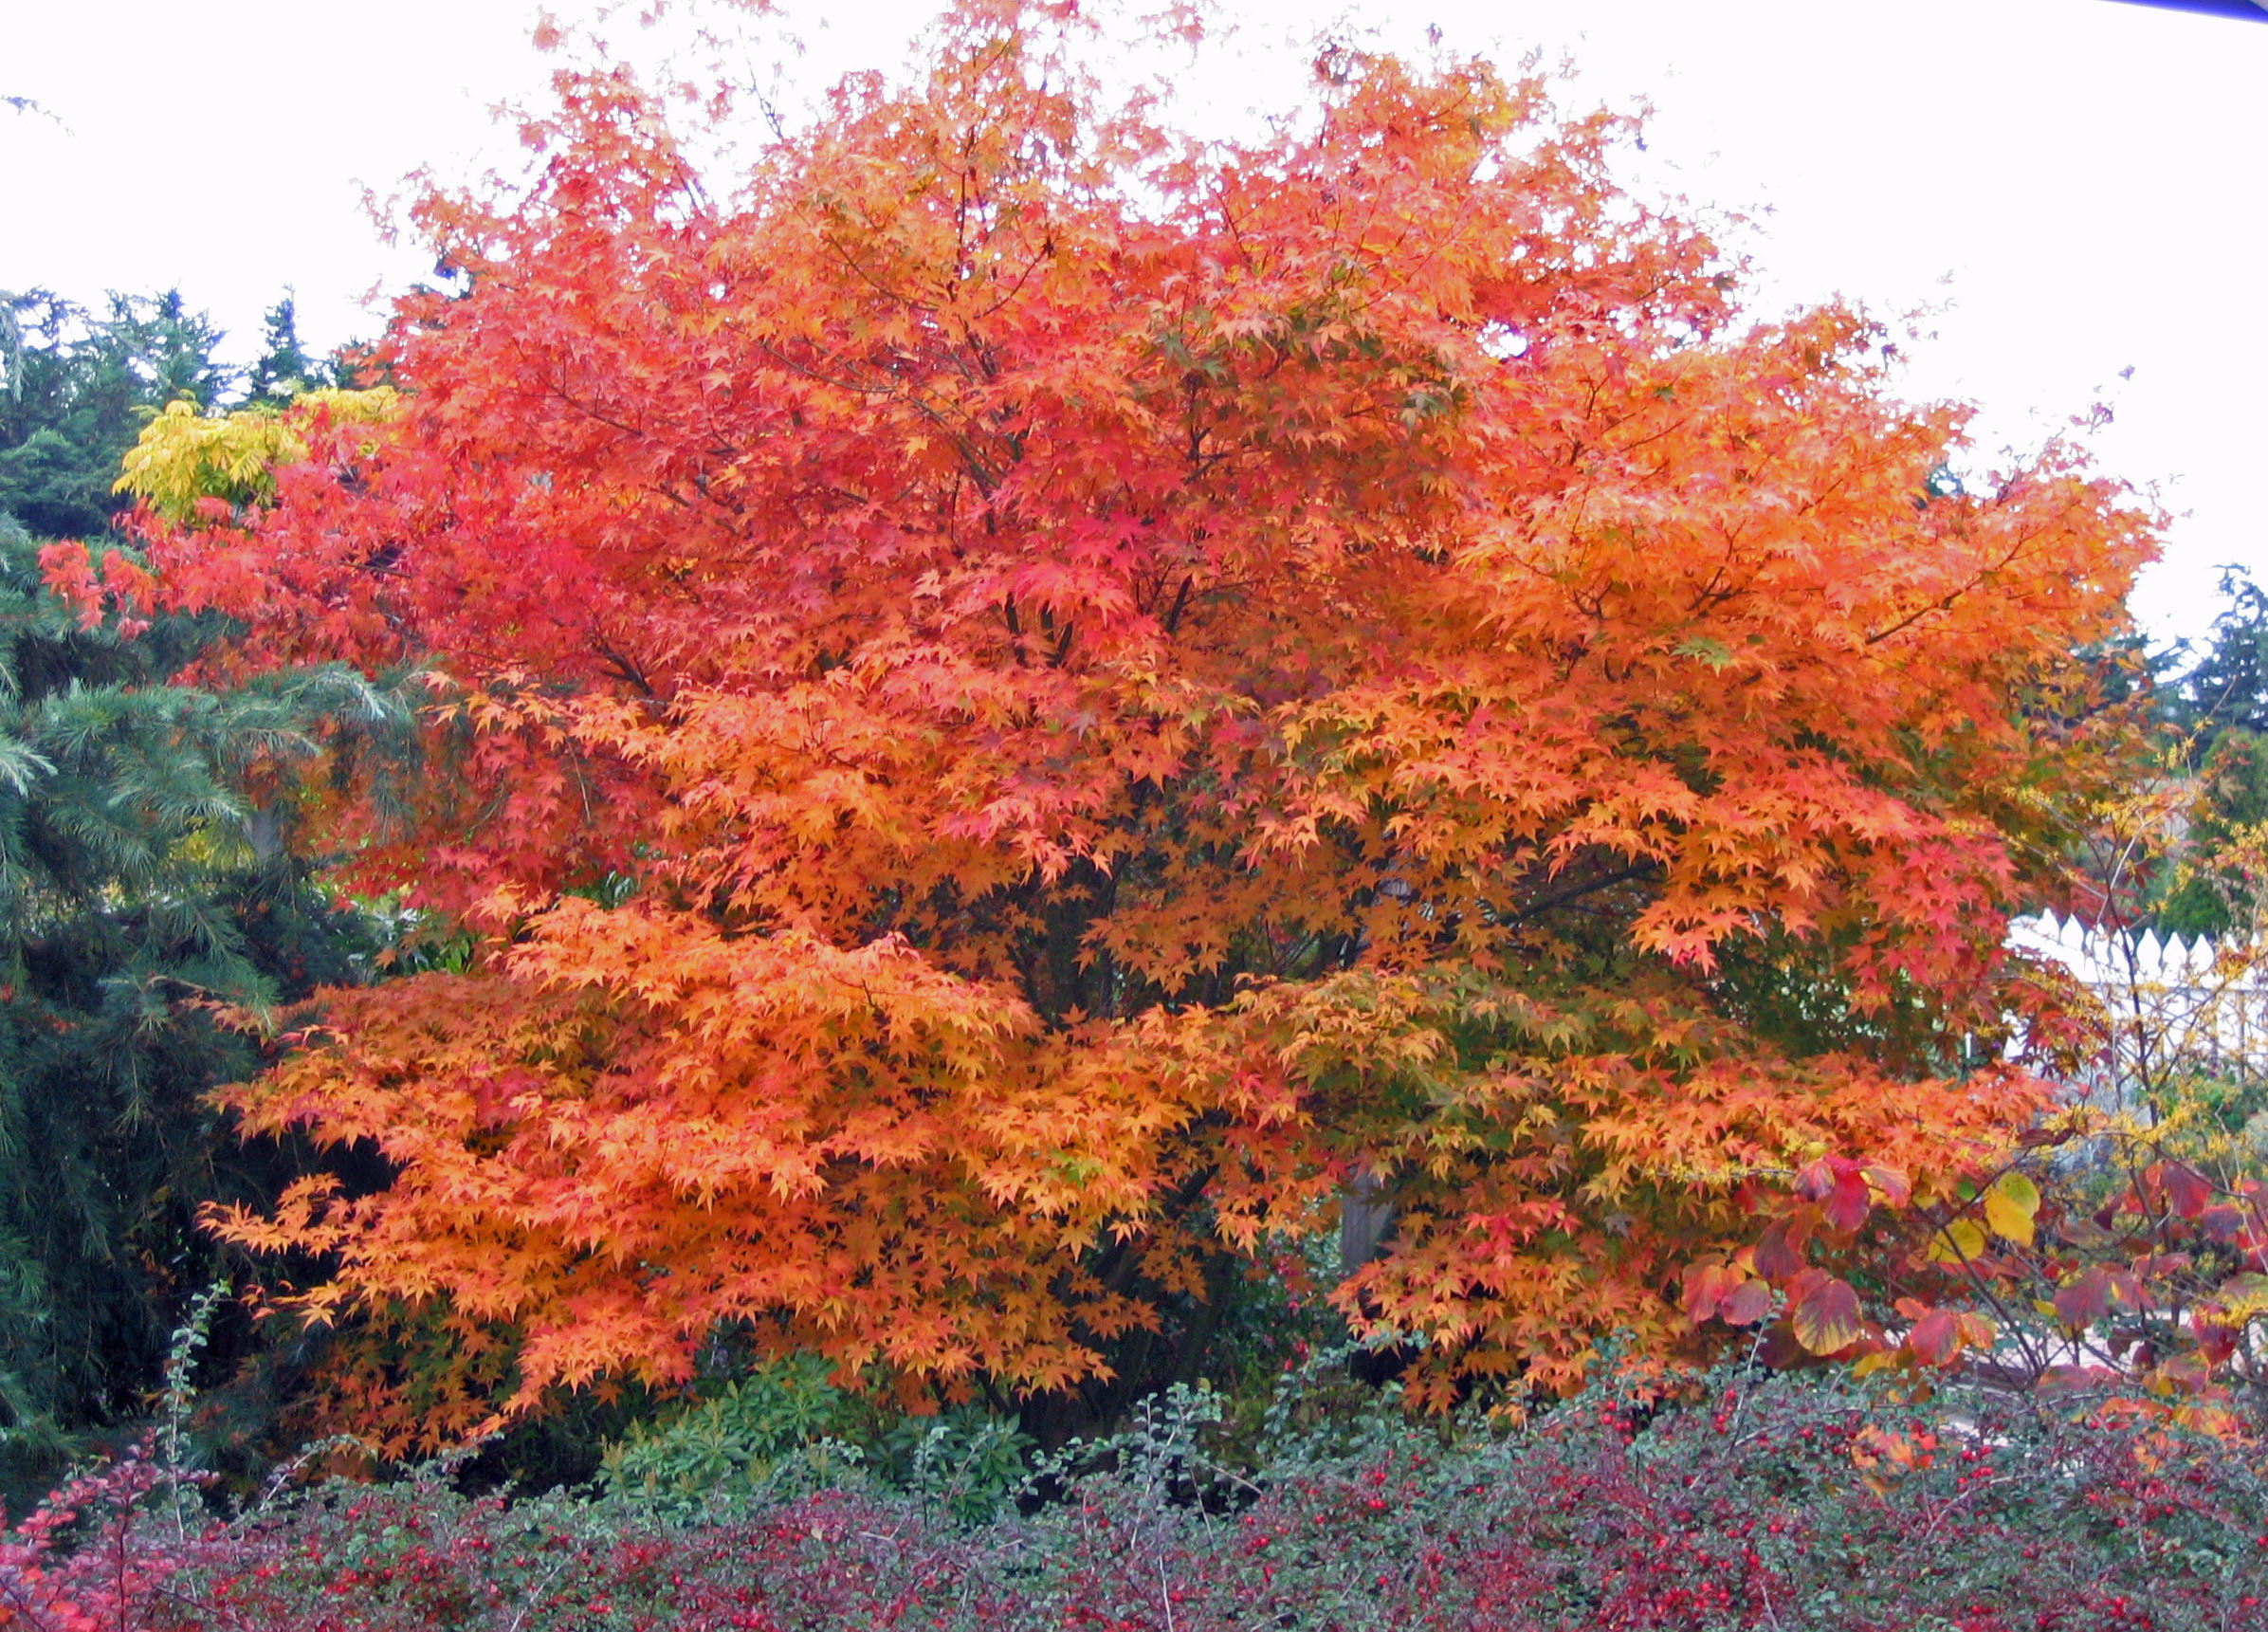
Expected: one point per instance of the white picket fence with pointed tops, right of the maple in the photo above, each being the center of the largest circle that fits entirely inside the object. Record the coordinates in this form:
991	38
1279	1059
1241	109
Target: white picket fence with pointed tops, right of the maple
2165	1002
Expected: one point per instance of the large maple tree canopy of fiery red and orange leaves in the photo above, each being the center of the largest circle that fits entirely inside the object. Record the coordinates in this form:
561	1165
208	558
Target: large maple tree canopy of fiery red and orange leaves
1026	700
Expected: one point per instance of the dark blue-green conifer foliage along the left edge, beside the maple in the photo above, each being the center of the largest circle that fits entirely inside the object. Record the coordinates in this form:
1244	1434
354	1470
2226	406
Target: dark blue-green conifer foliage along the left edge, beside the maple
149	889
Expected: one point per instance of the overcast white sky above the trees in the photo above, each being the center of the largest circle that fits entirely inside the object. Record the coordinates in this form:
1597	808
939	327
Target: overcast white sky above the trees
2072	187
